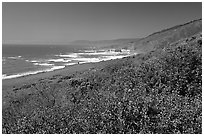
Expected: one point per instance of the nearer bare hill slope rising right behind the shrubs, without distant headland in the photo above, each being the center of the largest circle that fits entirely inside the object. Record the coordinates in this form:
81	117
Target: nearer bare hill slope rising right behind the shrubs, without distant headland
168	36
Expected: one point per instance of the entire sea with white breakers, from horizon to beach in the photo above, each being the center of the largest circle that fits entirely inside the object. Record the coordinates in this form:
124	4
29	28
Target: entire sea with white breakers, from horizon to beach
22	60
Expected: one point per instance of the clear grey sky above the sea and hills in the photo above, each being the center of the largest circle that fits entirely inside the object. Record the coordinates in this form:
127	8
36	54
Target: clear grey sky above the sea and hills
65	22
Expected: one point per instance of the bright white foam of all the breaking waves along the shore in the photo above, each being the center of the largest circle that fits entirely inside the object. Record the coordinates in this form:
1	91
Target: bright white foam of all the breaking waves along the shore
80	60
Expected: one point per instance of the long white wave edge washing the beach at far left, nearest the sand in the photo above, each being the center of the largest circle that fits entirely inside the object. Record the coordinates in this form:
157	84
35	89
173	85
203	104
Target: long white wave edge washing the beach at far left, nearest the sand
4	76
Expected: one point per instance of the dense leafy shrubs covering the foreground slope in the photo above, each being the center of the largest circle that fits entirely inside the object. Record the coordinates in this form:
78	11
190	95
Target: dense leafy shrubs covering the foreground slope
156	92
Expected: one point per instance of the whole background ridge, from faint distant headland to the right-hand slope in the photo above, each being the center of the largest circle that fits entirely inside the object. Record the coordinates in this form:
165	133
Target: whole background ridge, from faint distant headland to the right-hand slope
148	43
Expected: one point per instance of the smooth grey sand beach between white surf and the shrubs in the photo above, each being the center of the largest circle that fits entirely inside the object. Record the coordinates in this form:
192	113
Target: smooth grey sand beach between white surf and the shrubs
10	85
